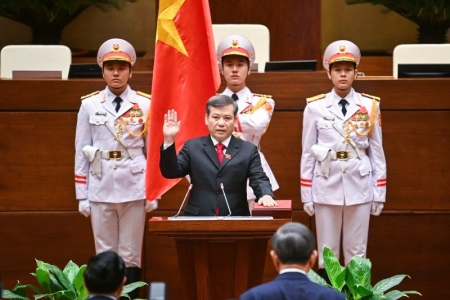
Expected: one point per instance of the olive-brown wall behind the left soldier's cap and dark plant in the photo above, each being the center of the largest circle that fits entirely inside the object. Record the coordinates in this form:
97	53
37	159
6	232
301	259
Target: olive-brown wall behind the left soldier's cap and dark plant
135	23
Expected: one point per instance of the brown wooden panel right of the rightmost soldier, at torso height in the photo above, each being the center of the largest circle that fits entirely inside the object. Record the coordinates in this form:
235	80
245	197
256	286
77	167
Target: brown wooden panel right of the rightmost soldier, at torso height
417	175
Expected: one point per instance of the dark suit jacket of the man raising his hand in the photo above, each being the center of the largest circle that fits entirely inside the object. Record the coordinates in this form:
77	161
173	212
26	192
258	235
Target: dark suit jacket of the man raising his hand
198	158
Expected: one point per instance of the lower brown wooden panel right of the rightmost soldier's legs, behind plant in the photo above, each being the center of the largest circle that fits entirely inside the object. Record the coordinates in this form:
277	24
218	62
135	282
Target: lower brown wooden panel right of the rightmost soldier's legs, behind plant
416	245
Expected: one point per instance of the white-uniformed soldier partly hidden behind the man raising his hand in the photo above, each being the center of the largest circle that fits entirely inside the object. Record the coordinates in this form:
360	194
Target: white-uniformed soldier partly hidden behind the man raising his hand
236	55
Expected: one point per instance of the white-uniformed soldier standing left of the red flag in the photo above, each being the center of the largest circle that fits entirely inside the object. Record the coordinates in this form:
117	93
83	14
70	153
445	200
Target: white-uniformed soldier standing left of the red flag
110	159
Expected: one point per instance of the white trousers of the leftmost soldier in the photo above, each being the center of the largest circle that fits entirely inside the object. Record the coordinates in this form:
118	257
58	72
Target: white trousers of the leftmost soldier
119	227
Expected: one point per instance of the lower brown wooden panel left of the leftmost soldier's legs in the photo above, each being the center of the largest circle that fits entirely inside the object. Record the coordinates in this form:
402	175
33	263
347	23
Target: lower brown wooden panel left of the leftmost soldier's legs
53	237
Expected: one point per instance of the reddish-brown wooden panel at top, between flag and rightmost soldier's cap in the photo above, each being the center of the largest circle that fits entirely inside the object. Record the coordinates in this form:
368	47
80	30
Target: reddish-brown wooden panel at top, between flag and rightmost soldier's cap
292	24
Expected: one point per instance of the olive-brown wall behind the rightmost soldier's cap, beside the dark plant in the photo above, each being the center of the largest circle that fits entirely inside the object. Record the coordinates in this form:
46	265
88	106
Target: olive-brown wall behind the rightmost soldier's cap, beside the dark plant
366	25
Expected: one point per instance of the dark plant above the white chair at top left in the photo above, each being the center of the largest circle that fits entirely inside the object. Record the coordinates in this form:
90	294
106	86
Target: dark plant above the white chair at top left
47	19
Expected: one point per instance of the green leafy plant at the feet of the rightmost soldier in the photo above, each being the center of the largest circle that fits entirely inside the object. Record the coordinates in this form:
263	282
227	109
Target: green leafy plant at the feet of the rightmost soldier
354	280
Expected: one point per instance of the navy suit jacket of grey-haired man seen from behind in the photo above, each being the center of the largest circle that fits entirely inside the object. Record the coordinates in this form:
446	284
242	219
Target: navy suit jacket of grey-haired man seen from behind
292	286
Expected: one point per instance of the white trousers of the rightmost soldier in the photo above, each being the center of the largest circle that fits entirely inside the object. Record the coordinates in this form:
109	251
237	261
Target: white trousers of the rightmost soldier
350	221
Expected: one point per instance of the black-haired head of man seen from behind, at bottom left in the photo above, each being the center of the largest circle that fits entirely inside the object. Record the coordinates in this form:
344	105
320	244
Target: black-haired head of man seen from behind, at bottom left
105	276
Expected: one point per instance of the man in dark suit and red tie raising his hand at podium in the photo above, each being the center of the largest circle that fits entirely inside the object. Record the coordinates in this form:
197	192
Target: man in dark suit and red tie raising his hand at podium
218	164
